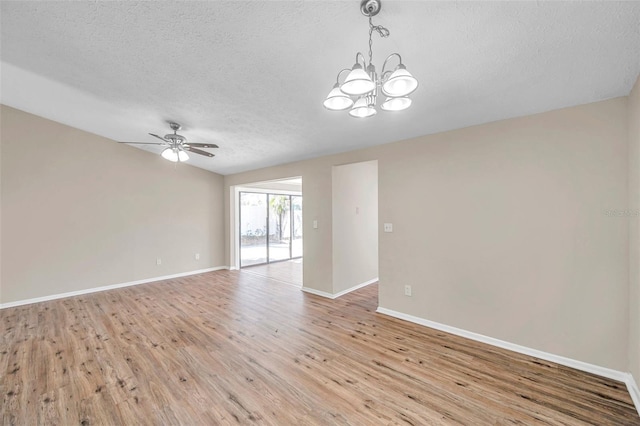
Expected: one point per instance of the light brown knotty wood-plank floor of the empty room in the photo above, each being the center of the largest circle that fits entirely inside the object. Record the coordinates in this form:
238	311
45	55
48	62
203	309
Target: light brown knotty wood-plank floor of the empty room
230	347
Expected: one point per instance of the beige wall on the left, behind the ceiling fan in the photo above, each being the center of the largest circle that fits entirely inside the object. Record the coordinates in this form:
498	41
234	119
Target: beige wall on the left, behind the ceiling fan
80	211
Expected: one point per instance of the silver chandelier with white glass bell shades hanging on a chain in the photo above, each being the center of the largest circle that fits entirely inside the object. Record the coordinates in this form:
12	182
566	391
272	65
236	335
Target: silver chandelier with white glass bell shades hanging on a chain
359	90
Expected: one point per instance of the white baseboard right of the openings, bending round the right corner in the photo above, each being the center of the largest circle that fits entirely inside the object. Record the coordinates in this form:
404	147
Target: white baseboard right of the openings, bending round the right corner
620	376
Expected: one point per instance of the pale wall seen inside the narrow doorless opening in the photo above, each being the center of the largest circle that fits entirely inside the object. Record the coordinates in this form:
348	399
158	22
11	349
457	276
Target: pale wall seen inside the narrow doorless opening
354	224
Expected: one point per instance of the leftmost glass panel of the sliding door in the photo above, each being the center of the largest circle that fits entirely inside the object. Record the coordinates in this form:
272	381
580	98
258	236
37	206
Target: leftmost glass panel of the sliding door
253	228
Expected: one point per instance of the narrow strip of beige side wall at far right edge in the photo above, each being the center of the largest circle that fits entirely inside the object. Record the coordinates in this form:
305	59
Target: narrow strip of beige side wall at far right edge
634	231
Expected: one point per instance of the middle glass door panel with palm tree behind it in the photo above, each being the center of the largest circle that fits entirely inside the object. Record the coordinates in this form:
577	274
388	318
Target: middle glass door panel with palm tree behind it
279	227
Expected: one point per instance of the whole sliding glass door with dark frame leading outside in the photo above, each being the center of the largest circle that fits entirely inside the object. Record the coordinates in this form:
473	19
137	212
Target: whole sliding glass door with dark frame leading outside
270	227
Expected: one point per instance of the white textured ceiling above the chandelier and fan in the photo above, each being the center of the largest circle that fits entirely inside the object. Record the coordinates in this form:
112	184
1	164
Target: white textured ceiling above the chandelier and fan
251	76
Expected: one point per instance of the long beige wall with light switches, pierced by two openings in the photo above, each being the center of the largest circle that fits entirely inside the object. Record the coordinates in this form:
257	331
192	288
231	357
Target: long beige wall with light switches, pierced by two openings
499	228
